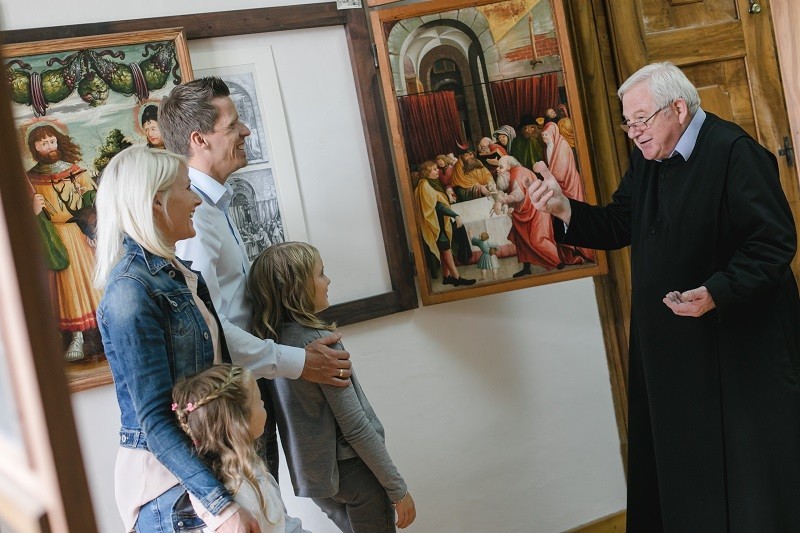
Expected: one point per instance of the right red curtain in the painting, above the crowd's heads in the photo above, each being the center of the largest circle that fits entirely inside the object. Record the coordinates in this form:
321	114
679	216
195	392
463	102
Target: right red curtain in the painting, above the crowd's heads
513	99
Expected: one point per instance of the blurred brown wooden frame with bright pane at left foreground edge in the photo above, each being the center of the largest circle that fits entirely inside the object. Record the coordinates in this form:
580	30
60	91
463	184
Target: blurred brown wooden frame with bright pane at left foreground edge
44	485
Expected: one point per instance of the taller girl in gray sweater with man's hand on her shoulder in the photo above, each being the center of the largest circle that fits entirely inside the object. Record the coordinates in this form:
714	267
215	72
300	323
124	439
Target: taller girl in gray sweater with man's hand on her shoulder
333	441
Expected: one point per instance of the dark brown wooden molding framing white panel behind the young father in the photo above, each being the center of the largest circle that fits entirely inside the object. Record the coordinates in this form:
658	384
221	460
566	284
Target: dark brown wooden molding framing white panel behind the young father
403	295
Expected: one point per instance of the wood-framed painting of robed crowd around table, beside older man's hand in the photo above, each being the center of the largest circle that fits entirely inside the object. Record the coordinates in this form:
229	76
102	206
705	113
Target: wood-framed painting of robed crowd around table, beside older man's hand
476	93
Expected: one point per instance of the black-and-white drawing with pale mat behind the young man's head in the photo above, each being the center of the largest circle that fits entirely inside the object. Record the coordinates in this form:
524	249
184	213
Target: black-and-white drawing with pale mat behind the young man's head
266	207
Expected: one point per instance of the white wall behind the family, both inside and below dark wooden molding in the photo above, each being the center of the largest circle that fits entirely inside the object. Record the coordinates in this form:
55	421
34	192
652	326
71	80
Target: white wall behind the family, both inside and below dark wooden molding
498	409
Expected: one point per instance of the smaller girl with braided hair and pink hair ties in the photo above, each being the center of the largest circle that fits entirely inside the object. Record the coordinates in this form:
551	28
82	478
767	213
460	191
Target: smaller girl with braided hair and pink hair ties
221	410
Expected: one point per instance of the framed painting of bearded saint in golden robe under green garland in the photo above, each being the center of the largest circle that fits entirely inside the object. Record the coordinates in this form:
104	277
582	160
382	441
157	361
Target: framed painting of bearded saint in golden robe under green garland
76	103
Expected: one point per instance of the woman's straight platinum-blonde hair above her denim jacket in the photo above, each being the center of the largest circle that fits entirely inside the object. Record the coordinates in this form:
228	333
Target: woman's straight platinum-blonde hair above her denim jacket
125	203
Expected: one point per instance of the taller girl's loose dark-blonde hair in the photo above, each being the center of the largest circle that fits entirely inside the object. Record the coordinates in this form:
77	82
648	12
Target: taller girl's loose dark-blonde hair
282	289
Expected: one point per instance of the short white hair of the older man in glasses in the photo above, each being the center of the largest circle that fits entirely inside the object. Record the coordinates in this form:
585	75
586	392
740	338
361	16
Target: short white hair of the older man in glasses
666	83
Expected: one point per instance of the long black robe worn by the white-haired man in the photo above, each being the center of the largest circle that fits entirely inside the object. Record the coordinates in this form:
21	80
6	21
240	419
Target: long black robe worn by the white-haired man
714	401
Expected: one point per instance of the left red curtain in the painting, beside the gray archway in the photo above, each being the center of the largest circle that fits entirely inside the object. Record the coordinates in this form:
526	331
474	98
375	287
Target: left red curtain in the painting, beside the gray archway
431	125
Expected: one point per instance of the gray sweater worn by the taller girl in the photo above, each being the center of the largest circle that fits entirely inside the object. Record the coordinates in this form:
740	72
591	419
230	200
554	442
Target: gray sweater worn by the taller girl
322	424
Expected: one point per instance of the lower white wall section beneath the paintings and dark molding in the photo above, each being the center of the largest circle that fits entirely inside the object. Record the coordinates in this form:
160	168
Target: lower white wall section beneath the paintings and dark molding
497	411
